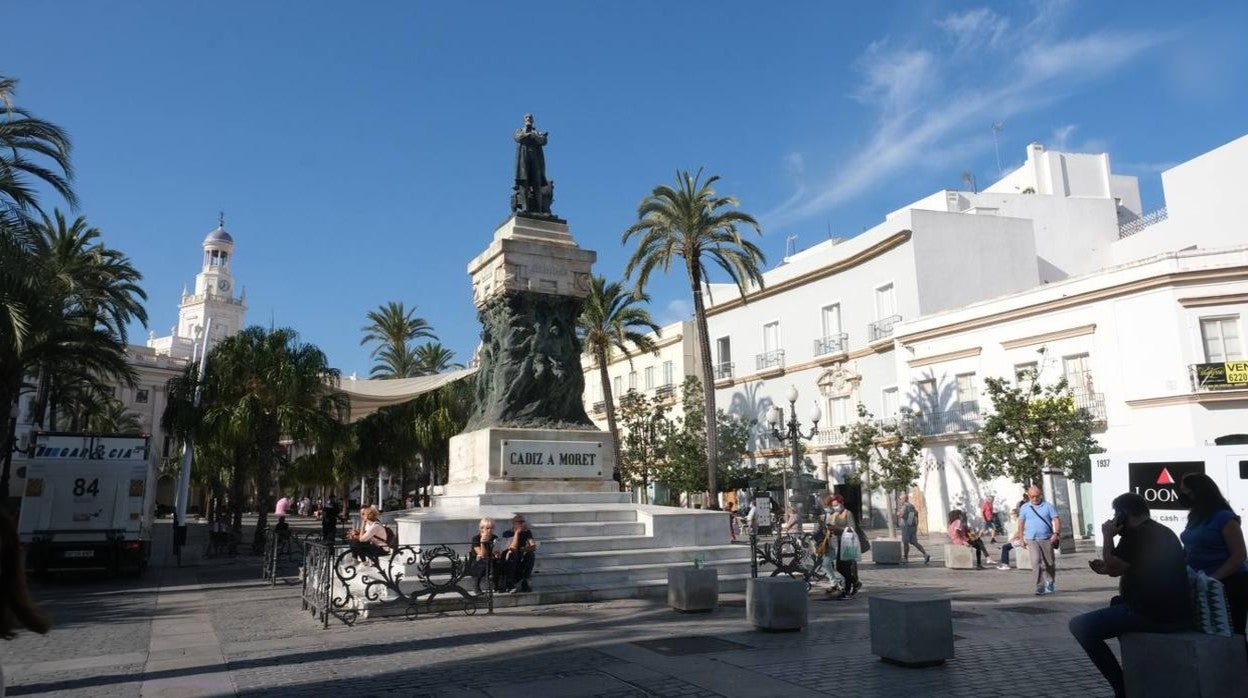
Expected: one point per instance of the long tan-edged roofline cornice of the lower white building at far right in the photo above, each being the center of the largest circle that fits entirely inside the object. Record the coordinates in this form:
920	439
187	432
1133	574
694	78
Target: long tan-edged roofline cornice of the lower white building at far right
1161	282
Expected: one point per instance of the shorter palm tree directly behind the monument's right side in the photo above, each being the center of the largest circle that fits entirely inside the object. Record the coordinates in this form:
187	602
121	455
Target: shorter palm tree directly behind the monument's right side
612	322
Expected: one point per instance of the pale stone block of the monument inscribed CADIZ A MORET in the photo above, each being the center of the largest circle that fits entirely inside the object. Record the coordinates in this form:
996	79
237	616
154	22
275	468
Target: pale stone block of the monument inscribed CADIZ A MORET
499	461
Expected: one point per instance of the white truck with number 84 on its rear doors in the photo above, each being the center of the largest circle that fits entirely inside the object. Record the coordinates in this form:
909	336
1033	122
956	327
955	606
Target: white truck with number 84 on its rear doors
88	504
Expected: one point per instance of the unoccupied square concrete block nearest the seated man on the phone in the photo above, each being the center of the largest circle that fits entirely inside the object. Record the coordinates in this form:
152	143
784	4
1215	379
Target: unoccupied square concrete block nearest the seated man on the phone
913	630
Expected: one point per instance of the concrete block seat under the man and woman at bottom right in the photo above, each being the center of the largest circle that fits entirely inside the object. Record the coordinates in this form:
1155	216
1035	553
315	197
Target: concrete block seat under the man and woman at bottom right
1185	665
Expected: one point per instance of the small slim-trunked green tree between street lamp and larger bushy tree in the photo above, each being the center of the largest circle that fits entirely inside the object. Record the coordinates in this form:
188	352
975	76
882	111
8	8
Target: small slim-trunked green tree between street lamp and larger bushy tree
887	453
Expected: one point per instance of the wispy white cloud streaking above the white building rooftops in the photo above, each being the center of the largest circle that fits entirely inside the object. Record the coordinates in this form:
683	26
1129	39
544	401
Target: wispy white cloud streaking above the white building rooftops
992	74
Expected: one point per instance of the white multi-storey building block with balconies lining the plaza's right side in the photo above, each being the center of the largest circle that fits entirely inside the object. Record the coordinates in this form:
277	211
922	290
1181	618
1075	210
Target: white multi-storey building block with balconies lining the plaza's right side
1059	257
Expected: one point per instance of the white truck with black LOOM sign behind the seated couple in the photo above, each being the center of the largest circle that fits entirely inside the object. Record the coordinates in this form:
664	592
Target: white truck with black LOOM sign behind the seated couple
1156	476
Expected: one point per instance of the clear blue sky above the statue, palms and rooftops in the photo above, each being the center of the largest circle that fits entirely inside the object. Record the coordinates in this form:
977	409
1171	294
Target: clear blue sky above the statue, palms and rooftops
363	153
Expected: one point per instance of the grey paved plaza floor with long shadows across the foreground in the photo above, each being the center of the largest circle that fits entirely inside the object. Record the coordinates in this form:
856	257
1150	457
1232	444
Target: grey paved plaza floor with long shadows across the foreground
220	631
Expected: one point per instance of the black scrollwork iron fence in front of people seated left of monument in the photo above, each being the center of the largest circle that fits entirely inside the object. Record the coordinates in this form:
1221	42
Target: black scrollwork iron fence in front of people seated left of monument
344	582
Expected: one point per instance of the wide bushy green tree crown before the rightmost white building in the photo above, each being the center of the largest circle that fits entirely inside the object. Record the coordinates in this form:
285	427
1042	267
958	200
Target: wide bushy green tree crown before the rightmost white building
1031	429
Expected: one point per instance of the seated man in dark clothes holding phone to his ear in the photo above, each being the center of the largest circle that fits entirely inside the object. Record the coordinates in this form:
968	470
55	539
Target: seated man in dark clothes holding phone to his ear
1153	589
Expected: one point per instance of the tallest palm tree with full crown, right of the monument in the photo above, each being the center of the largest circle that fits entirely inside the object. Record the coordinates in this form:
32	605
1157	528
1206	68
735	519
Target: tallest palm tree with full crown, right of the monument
693	224
